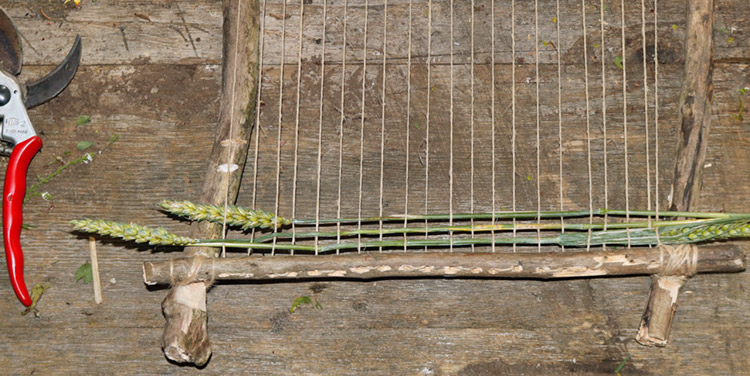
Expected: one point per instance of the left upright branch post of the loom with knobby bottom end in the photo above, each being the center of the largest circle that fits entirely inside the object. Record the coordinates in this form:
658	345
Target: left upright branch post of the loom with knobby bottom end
185	338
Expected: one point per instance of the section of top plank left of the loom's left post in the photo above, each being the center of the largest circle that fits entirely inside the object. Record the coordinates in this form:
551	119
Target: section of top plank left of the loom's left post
176	32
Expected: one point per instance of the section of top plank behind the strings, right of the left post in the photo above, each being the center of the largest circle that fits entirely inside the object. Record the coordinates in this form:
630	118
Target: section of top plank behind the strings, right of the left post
672	25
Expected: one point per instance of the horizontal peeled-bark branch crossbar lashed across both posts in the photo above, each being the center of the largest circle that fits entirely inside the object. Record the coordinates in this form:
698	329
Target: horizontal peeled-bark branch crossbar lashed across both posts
663	260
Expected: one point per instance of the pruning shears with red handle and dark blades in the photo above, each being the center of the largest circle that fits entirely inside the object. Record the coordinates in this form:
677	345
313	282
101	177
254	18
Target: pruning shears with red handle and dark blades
19	137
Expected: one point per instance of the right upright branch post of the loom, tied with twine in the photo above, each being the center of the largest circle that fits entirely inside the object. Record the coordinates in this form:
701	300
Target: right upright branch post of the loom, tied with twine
695	119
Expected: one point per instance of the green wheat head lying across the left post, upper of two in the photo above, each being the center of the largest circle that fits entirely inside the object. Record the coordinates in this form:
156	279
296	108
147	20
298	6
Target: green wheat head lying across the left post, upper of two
235	216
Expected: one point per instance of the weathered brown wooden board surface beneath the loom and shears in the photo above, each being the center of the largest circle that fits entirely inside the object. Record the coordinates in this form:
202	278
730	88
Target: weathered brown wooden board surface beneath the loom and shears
151	74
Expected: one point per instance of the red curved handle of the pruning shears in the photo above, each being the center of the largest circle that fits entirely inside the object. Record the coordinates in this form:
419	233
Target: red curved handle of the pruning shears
13	195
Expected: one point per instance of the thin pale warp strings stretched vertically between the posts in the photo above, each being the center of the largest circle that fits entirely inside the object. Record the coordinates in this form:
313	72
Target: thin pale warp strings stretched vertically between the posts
454	163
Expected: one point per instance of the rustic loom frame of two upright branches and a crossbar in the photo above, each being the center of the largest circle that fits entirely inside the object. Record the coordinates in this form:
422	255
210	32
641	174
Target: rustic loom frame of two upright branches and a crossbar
185	337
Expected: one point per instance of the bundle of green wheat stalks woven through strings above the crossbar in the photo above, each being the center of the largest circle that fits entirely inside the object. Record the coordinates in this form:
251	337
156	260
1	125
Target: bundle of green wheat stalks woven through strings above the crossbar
648	229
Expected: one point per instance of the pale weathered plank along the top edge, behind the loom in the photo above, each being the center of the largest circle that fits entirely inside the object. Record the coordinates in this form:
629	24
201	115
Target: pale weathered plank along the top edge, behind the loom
186	32
